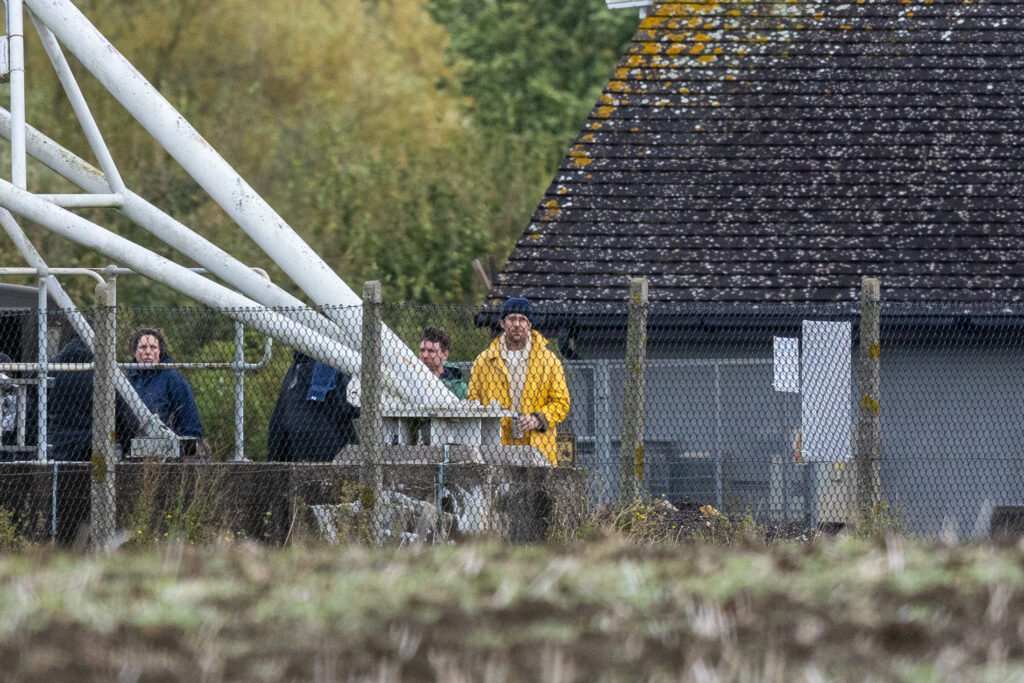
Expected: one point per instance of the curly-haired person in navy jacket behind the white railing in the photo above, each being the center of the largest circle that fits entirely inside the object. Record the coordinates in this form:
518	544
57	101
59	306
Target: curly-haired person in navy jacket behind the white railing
164	391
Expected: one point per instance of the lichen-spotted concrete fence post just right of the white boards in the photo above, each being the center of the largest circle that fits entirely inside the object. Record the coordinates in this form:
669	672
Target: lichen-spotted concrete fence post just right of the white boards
869	433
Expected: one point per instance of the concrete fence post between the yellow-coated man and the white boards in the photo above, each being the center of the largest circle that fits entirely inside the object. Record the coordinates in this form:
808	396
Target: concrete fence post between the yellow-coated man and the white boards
634	410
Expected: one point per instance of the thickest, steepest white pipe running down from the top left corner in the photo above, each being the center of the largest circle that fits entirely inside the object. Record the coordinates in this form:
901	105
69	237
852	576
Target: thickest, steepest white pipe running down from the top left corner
230	191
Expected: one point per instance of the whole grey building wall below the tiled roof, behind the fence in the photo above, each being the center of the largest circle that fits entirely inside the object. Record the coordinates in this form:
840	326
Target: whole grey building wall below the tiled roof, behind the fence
953	421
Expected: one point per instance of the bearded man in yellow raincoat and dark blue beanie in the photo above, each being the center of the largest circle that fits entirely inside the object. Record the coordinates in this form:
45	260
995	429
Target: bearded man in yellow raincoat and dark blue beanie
522	374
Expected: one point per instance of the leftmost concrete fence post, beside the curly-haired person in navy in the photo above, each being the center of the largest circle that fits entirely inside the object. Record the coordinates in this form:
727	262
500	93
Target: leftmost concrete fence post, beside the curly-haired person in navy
102	490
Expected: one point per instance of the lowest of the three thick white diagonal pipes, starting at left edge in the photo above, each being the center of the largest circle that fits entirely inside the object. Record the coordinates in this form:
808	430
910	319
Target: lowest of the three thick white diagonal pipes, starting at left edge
195	286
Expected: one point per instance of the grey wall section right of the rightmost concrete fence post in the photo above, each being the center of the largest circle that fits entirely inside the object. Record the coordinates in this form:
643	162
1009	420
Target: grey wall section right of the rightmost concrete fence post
953	436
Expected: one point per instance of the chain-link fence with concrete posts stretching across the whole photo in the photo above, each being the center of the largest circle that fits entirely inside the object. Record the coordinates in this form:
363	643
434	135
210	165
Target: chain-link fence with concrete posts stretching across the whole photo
789	418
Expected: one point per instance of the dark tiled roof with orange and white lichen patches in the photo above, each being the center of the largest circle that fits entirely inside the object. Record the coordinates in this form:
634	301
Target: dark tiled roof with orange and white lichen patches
778	151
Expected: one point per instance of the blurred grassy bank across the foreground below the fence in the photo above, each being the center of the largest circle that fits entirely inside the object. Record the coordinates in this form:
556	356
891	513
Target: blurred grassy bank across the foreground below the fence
590	612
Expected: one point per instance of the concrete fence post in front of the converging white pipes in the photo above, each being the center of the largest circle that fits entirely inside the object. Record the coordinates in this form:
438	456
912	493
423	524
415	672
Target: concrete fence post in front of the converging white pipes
371	420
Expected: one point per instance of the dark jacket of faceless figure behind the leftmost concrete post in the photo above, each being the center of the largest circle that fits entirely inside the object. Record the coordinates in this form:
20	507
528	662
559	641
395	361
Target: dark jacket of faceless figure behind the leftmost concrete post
69	409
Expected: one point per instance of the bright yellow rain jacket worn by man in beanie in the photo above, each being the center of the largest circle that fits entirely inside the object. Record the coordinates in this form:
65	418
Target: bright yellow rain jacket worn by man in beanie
545	394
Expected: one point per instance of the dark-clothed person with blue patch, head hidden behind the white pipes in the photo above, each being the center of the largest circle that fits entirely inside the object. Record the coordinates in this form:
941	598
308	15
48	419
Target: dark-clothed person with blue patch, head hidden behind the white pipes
312	420
